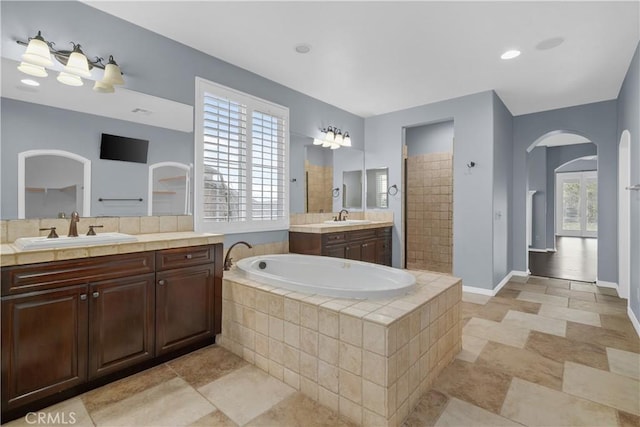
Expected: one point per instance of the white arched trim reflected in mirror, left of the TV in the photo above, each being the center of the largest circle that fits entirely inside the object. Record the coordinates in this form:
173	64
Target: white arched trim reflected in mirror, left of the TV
86	185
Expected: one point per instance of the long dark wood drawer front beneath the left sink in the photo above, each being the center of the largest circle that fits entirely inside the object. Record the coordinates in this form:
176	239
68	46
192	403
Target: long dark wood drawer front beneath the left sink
37	277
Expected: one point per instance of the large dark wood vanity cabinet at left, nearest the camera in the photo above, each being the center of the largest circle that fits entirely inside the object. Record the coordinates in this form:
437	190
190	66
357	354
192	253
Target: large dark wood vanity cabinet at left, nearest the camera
67	323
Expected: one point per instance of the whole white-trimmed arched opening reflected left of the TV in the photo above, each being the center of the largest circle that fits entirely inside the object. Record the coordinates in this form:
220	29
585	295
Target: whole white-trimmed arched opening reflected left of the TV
52	184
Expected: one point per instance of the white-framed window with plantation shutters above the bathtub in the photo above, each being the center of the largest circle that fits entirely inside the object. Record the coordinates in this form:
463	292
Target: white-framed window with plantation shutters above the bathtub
241	150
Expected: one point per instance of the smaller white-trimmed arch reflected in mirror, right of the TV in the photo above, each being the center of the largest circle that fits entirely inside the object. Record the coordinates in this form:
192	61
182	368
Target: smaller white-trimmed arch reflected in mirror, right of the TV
169	189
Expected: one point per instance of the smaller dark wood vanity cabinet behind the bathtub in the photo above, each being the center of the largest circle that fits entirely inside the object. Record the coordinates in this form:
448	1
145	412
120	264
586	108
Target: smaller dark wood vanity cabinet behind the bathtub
369	245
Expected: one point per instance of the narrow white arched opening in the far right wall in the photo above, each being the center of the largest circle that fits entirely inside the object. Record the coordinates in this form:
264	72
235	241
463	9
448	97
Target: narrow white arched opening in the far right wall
624	214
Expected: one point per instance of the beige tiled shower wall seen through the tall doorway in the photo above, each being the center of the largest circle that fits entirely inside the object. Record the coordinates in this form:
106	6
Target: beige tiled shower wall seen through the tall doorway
430	212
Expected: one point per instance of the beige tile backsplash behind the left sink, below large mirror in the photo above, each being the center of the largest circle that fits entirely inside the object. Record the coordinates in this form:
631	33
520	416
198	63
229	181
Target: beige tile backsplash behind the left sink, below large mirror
12	229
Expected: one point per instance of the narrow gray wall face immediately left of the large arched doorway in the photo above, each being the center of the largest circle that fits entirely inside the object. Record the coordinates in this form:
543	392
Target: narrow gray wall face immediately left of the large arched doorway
502	179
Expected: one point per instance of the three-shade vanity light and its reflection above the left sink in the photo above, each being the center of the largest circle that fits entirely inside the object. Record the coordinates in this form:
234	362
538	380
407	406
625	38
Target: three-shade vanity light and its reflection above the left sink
38	54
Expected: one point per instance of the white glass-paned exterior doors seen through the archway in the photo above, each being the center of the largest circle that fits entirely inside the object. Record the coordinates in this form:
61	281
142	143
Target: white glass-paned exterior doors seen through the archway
577	204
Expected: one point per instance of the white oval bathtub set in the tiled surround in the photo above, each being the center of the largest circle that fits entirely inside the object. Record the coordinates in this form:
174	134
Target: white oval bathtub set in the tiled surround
335	277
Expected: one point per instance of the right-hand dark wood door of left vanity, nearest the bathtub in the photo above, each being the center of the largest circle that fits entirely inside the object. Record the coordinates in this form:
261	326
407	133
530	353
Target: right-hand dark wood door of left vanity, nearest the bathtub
184	307
